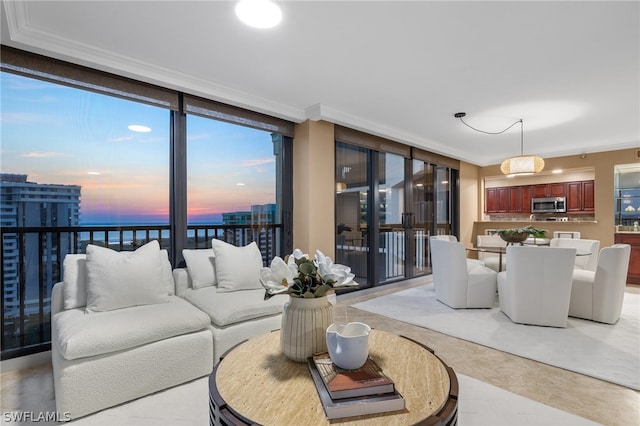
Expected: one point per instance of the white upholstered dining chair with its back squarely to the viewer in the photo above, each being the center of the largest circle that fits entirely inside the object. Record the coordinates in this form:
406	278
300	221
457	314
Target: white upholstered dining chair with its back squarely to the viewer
536	287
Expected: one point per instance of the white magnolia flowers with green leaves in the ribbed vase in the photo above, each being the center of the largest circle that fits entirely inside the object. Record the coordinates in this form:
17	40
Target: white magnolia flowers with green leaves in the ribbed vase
299	276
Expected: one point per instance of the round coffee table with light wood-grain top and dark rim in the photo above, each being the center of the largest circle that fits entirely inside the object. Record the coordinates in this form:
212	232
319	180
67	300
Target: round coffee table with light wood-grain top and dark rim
256	384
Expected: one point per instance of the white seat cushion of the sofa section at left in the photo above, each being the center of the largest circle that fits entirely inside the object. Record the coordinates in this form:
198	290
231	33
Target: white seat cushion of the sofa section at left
79	335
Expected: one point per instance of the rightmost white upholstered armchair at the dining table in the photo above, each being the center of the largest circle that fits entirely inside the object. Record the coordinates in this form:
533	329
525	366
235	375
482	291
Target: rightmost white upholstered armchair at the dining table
598	295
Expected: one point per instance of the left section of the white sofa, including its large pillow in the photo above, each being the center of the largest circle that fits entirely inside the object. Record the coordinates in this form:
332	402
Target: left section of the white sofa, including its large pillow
105	352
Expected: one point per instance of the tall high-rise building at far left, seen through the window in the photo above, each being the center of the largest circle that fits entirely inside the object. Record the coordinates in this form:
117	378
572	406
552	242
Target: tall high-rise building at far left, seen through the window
31	204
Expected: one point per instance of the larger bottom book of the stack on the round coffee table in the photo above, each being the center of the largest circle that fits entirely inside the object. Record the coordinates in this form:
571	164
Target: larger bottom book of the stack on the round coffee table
356	406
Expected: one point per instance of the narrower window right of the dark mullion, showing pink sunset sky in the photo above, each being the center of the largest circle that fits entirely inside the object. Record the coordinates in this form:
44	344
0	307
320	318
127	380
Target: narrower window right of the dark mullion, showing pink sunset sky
232	180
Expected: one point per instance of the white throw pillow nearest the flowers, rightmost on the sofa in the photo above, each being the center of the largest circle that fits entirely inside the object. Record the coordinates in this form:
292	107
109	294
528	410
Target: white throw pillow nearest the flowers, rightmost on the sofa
237	268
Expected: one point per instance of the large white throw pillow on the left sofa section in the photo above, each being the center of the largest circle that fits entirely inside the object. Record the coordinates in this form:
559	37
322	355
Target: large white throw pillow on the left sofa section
122	279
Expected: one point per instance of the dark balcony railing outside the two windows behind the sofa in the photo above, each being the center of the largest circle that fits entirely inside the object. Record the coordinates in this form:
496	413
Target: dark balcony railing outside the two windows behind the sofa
32	259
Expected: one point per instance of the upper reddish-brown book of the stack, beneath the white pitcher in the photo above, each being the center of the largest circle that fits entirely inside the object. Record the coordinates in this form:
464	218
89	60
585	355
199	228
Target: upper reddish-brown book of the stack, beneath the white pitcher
366	380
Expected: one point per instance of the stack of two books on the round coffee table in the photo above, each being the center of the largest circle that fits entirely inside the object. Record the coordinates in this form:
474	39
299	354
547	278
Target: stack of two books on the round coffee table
346	393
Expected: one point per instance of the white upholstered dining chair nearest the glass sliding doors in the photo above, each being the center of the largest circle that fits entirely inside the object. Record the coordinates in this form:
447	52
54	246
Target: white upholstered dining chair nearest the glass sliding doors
457	284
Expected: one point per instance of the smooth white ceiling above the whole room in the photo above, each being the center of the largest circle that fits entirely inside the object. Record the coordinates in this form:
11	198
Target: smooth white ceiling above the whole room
398	69
